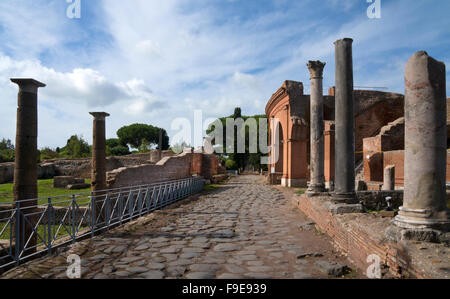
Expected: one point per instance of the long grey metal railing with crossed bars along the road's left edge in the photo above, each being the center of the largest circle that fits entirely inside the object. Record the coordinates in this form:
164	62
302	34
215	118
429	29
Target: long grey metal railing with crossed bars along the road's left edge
31	229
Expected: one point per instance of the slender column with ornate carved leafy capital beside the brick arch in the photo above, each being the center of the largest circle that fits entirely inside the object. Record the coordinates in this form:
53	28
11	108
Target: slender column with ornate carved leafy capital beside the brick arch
317	182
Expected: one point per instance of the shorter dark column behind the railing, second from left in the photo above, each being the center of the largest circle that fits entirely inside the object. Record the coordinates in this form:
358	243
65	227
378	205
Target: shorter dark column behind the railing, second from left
98	171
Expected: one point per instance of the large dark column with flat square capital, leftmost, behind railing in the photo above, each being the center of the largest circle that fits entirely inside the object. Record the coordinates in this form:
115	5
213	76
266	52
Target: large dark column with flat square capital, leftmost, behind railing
26	156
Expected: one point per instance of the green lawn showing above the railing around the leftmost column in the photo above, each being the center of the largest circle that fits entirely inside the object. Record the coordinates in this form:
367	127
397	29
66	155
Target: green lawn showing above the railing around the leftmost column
45	189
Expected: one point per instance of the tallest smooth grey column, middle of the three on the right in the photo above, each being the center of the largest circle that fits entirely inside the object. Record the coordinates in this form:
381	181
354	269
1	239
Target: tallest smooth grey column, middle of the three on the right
345	124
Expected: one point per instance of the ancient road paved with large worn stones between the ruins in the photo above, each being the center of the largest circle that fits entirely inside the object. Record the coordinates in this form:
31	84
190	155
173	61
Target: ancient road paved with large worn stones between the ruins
244	229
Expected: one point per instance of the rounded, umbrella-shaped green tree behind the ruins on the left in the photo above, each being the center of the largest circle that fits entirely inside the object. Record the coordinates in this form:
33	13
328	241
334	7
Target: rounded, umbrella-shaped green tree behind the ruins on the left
137	134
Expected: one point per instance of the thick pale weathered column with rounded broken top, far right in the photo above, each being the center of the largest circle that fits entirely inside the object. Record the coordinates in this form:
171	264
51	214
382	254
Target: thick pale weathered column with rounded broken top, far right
424	204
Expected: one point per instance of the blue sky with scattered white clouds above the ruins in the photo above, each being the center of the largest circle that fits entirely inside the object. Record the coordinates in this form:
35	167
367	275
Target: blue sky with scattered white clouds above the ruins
152	61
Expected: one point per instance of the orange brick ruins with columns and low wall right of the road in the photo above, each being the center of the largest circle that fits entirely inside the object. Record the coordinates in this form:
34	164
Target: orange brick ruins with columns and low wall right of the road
392	146
